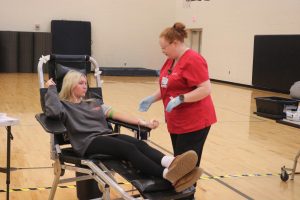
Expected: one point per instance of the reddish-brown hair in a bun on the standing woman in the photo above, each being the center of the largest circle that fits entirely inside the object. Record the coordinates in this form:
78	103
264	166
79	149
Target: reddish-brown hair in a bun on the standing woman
176	32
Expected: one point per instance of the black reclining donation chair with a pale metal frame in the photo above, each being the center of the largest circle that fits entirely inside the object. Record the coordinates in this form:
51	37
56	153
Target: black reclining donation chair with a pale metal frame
99	168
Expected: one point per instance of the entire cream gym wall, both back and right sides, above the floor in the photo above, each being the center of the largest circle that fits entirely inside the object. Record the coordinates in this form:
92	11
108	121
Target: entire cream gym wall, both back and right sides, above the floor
126	31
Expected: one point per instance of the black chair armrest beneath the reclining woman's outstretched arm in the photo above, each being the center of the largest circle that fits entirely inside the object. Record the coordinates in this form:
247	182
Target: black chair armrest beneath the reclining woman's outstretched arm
141	131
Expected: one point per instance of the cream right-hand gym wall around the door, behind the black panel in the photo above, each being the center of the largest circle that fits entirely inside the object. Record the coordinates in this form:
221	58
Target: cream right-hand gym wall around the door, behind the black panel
229	27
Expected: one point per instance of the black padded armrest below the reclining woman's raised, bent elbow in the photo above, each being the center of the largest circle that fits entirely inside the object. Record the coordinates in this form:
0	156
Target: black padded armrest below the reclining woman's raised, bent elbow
50	125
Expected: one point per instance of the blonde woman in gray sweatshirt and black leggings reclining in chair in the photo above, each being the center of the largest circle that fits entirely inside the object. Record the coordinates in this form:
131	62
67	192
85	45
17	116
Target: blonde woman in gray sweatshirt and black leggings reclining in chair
85	120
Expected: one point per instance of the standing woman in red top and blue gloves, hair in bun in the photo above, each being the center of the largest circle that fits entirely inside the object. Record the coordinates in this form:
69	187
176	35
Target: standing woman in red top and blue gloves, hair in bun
185	91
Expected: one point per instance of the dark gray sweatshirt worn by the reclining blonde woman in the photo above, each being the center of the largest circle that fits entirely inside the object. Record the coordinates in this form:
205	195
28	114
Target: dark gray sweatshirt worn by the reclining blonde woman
84	121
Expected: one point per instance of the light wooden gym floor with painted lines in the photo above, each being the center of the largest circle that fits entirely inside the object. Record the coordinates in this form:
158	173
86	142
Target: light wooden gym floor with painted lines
239	146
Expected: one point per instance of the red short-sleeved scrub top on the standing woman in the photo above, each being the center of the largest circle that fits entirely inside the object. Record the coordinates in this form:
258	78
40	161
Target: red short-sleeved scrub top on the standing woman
190	71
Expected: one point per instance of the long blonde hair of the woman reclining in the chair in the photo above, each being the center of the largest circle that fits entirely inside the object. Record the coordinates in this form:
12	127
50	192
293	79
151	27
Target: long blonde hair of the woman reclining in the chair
71	79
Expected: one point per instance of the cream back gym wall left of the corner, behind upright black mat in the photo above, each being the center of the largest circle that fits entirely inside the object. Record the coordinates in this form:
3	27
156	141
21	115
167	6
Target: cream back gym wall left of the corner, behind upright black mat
123	31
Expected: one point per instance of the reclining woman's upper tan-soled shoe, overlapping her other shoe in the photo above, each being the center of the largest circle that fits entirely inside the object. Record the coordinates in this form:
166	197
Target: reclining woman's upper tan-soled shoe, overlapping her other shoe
181	165
